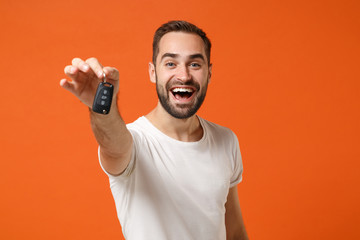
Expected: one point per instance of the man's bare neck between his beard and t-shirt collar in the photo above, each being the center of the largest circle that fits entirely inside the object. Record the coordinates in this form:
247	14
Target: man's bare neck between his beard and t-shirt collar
186	130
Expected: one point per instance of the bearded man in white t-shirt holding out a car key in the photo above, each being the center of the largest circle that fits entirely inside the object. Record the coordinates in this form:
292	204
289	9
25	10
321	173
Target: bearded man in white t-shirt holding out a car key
173	175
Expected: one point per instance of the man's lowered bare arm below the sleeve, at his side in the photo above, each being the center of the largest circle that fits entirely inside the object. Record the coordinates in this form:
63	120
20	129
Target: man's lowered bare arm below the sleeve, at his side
235	228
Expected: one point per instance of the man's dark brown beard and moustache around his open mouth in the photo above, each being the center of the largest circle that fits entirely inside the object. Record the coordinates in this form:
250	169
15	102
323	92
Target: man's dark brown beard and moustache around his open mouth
181	111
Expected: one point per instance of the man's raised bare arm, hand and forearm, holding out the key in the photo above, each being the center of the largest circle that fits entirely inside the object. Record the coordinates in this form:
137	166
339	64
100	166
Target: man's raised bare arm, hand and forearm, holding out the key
110	131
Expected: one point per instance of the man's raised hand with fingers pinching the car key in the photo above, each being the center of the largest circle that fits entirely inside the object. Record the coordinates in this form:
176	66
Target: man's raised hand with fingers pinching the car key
85	77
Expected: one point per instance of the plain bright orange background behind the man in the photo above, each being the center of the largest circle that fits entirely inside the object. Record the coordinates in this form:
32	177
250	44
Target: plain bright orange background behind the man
285	80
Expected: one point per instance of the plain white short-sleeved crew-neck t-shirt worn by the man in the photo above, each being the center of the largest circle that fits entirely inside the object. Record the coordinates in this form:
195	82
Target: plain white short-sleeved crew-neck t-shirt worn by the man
176	190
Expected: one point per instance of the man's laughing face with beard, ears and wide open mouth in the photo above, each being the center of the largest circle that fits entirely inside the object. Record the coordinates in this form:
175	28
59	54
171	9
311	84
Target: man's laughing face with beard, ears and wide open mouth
182	73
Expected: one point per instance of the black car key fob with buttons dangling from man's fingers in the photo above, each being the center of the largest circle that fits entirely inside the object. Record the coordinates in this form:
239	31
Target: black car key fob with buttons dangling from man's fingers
103	97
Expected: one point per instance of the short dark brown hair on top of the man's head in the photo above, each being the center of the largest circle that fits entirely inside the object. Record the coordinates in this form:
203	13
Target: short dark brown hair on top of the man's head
179	26
